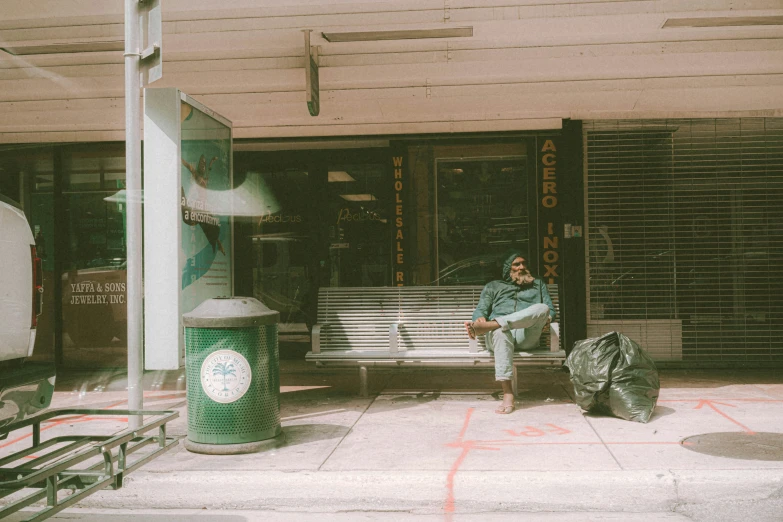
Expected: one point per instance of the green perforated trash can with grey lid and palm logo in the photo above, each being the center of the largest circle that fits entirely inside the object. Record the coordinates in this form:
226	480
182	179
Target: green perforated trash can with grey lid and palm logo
233	375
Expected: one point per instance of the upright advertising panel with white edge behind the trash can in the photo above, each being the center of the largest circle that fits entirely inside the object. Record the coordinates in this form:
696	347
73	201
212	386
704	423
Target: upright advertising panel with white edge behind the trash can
188	240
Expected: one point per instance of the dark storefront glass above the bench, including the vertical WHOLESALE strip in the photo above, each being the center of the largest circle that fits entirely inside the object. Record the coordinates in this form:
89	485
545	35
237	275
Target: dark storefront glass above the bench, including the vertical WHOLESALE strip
330	219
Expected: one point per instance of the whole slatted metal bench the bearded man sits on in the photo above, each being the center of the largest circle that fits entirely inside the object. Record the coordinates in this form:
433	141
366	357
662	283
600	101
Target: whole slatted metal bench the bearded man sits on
410	326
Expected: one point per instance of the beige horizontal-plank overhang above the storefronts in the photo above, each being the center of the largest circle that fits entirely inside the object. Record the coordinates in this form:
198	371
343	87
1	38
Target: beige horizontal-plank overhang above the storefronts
528	59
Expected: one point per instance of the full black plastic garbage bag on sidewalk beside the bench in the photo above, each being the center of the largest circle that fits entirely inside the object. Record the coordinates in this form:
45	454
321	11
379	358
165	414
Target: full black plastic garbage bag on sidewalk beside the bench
614	375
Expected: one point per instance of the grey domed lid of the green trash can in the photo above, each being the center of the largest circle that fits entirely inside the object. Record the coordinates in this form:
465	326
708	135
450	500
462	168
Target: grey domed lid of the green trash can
230	312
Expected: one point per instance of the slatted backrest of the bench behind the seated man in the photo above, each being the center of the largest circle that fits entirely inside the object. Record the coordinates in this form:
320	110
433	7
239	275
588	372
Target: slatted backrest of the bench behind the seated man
429	317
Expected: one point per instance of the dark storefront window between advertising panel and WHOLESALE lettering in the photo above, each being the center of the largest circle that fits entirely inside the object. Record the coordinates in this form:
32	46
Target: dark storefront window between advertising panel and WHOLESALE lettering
322	223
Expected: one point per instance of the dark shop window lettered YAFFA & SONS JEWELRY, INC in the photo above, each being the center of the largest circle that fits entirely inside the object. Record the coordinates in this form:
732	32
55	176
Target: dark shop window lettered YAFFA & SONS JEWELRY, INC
94	272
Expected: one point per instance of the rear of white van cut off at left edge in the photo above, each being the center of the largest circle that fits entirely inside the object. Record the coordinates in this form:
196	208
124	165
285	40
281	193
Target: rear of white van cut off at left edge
25	387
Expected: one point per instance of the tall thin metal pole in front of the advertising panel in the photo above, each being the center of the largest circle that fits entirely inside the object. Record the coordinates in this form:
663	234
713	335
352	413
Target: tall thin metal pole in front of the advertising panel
133	208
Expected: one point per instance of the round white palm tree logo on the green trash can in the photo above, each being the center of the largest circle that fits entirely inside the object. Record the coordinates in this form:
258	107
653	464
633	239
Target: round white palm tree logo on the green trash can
225	376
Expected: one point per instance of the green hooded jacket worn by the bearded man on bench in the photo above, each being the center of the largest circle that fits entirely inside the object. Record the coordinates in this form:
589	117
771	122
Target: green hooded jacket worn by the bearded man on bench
503	297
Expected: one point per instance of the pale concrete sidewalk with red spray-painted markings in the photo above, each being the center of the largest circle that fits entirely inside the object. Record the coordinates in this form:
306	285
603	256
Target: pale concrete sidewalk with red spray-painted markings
427	445
